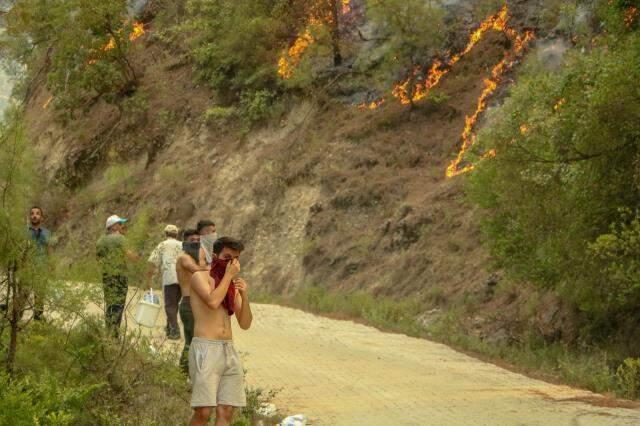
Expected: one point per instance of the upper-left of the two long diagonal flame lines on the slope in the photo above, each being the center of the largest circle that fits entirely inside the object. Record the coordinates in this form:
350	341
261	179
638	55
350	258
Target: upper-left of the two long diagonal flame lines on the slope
497	22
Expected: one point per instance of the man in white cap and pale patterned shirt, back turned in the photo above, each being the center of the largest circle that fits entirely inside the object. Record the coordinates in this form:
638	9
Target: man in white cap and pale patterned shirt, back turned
163	259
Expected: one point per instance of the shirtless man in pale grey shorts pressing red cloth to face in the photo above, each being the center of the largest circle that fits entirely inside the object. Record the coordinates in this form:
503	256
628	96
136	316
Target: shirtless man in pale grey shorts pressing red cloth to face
217	377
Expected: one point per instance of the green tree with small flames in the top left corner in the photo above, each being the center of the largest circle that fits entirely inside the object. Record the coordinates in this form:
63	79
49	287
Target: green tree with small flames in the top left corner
81	46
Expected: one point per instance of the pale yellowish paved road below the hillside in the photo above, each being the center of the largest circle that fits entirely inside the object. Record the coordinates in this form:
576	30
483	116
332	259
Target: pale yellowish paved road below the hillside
343	373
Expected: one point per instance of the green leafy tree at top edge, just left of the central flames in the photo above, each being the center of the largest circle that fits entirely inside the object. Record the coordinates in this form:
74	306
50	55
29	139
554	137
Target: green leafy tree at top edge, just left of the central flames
235	44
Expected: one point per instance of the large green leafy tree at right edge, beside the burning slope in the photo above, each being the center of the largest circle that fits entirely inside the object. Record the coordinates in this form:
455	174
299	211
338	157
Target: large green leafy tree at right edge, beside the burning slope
567	146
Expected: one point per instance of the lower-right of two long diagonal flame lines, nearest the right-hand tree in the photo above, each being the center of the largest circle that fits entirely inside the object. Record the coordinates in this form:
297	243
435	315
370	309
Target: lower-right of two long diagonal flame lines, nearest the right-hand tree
490	85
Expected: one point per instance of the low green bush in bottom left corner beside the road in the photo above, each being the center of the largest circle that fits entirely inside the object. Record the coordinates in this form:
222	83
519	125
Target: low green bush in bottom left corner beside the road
78	374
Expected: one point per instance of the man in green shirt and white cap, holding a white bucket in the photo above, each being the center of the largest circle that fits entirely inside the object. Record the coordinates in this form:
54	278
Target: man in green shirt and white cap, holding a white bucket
113	255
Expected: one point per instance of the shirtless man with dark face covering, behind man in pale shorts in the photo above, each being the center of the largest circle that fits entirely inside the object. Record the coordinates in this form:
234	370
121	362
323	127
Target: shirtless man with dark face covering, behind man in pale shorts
187	265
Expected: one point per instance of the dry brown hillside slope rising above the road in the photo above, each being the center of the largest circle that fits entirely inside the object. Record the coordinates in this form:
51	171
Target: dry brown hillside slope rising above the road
330	194
